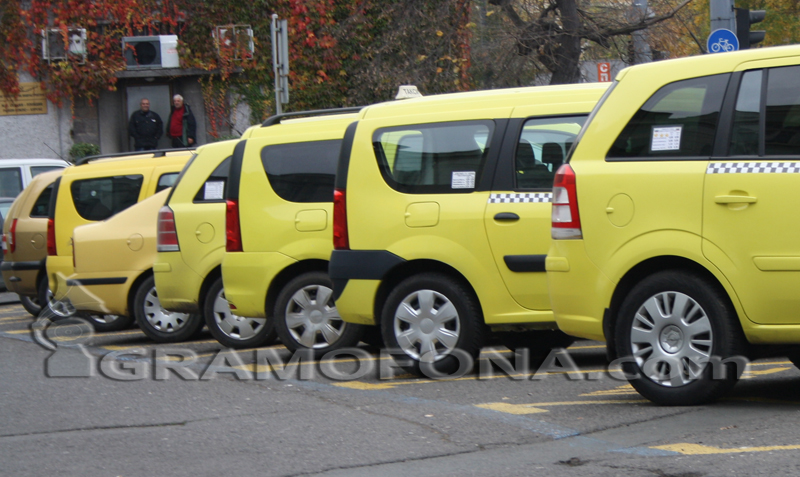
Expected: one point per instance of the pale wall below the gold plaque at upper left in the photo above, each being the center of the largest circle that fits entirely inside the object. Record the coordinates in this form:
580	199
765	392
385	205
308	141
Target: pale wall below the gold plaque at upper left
28	136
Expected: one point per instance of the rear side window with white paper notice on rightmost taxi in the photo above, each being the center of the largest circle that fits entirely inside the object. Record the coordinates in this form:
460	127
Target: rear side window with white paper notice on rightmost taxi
679	120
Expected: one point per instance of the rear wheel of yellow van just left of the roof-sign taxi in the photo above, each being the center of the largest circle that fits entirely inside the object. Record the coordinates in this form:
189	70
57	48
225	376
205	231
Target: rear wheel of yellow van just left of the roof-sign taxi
306	317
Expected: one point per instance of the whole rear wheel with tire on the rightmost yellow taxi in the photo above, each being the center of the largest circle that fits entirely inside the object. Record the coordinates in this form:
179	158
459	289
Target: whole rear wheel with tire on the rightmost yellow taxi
669	326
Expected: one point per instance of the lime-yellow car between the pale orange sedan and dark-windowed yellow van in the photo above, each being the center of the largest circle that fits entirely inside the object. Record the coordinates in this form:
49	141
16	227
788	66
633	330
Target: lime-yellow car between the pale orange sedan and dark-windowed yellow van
191	243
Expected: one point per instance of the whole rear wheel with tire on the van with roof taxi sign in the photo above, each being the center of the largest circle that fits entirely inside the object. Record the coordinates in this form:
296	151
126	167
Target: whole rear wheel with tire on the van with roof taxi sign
414	334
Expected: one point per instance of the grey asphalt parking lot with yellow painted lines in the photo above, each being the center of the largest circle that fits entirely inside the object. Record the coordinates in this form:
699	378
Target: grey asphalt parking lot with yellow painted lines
244	413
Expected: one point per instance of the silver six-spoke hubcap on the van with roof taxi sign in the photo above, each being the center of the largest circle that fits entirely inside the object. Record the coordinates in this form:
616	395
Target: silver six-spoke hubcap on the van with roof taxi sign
426	325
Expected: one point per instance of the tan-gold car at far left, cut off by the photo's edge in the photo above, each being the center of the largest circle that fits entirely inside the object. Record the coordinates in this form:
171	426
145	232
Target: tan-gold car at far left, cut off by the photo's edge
24	242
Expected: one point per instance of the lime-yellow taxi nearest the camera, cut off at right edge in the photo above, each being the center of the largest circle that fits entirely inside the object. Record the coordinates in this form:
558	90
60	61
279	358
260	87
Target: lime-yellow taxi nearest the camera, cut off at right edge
673	240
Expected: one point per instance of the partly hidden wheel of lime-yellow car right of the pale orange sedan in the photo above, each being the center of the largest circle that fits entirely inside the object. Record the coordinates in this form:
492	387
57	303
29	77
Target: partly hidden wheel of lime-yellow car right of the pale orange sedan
234	331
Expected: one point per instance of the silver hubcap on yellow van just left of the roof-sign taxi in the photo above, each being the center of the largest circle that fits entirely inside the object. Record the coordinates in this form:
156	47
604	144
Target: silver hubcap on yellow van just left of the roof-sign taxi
312	319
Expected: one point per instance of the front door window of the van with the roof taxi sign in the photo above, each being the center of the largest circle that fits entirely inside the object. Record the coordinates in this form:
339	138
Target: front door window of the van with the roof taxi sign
542	148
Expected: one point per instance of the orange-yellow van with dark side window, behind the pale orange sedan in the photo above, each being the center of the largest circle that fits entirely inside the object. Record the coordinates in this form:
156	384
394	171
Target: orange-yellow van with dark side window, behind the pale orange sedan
94	192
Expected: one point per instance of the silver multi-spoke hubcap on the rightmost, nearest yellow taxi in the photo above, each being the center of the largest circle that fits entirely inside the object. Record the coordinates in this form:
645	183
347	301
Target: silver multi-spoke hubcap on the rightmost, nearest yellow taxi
671	339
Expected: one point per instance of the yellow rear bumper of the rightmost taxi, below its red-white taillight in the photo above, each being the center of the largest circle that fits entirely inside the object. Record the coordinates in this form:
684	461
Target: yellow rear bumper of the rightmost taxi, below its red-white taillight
579	291
